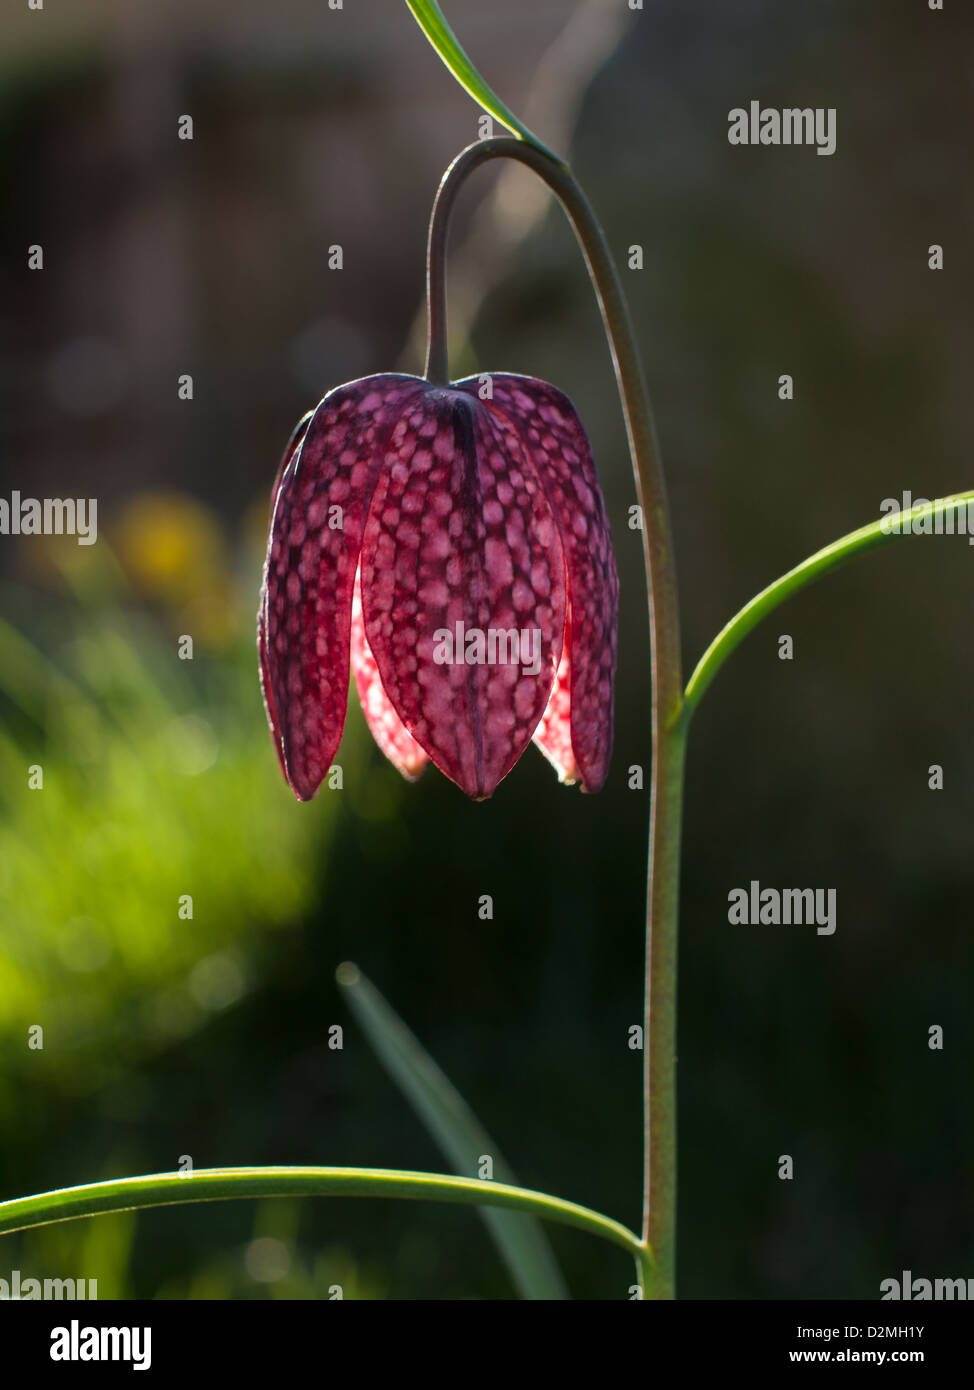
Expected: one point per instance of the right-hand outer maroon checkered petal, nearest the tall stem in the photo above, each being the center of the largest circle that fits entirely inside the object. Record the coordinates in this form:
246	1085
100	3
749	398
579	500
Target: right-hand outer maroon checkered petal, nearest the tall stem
555	441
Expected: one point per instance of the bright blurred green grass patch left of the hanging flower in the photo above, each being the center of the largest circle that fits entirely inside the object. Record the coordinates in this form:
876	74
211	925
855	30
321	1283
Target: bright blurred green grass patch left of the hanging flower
159	787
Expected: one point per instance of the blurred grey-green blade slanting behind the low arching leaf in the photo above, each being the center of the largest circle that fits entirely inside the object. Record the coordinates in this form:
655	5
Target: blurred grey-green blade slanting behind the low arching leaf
456	1129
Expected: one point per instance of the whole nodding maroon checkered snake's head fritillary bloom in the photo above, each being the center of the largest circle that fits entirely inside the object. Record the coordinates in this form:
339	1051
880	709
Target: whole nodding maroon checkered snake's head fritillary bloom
451	547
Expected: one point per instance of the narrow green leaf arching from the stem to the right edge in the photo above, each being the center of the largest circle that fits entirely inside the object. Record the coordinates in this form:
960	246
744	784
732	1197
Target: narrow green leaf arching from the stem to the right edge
858	543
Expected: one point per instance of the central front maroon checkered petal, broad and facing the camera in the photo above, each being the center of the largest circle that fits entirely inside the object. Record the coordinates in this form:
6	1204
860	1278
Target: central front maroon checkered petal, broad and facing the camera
461	533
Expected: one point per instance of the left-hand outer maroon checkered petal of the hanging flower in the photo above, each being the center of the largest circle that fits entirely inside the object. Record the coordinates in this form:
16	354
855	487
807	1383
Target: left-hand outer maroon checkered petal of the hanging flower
312	561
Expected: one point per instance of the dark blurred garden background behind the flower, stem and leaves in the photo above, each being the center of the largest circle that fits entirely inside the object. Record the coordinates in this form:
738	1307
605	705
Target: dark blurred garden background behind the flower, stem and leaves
208	1038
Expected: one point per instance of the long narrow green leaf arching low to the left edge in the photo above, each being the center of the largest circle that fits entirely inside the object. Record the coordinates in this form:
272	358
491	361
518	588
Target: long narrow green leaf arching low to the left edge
224	1184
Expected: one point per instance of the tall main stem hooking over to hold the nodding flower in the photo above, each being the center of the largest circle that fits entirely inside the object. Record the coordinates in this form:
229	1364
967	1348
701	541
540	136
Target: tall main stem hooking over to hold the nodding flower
668	719
